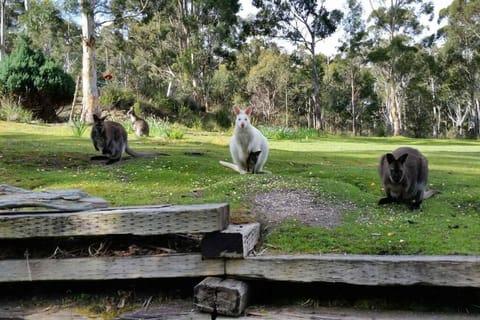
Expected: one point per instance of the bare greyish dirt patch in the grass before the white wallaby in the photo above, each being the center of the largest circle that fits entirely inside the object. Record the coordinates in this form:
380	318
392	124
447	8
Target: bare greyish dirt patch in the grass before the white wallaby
274	207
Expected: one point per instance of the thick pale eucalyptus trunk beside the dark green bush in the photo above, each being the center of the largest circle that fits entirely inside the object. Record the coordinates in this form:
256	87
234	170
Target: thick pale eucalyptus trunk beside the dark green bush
89	72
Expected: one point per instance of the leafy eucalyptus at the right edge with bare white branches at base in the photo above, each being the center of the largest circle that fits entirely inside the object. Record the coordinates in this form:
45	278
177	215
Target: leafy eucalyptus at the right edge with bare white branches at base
461	54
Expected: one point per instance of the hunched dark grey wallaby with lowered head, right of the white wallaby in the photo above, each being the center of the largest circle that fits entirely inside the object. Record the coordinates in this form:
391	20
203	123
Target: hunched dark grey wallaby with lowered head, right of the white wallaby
404	174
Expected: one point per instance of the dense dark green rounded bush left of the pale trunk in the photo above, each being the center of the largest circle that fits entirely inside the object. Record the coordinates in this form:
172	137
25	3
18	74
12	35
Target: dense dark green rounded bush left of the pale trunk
36	81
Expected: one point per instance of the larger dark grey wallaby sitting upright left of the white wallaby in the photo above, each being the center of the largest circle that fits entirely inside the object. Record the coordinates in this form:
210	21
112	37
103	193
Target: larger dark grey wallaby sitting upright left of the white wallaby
110	138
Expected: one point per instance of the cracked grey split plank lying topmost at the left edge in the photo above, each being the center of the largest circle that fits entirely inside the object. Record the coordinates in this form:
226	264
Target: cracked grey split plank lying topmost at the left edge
64	200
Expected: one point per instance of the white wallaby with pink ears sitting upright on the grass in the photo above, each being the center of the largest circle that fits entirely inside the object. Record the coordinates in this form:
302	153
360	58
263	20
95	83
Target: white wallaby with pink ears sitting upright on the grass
248	146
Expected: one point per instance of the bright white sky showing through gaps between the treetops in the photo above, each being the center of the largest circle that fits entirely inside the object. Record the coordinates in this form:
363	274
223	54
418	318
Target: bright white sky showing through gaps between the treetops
329	45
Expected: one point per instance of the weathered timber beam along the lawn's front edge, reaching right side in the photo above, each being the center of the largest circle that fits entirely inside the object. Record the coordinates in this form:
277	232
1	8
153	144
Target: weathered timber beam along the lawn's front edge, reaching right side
455	271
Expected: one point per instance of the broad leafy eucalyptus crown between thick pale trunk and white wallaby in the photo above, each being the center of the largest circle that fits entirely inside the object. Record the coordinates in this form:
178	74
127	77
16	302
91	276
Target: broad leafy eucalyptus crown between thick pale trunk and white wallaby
183	43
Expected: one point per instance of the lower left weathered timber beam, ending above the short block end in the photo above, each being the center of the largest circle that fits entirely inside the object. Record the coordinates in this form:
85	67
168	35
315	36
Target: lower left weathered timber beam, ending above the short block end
106	268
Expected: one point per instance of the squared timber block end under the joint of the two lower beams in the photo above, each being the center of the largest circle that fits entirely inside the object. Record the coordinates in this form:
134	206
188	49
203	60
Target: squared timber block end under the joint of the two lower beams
221	296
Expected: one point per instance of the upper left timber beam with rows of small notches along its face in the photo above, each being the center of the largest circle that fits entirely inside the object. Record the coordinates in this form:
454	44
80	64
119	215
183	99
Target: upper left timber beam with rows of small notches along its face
144	220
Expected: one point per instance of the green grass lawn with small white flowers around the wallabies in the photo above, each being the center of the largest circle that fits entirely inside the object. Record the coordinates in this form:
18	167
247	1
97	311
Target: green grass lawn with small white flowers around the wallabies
336	169
